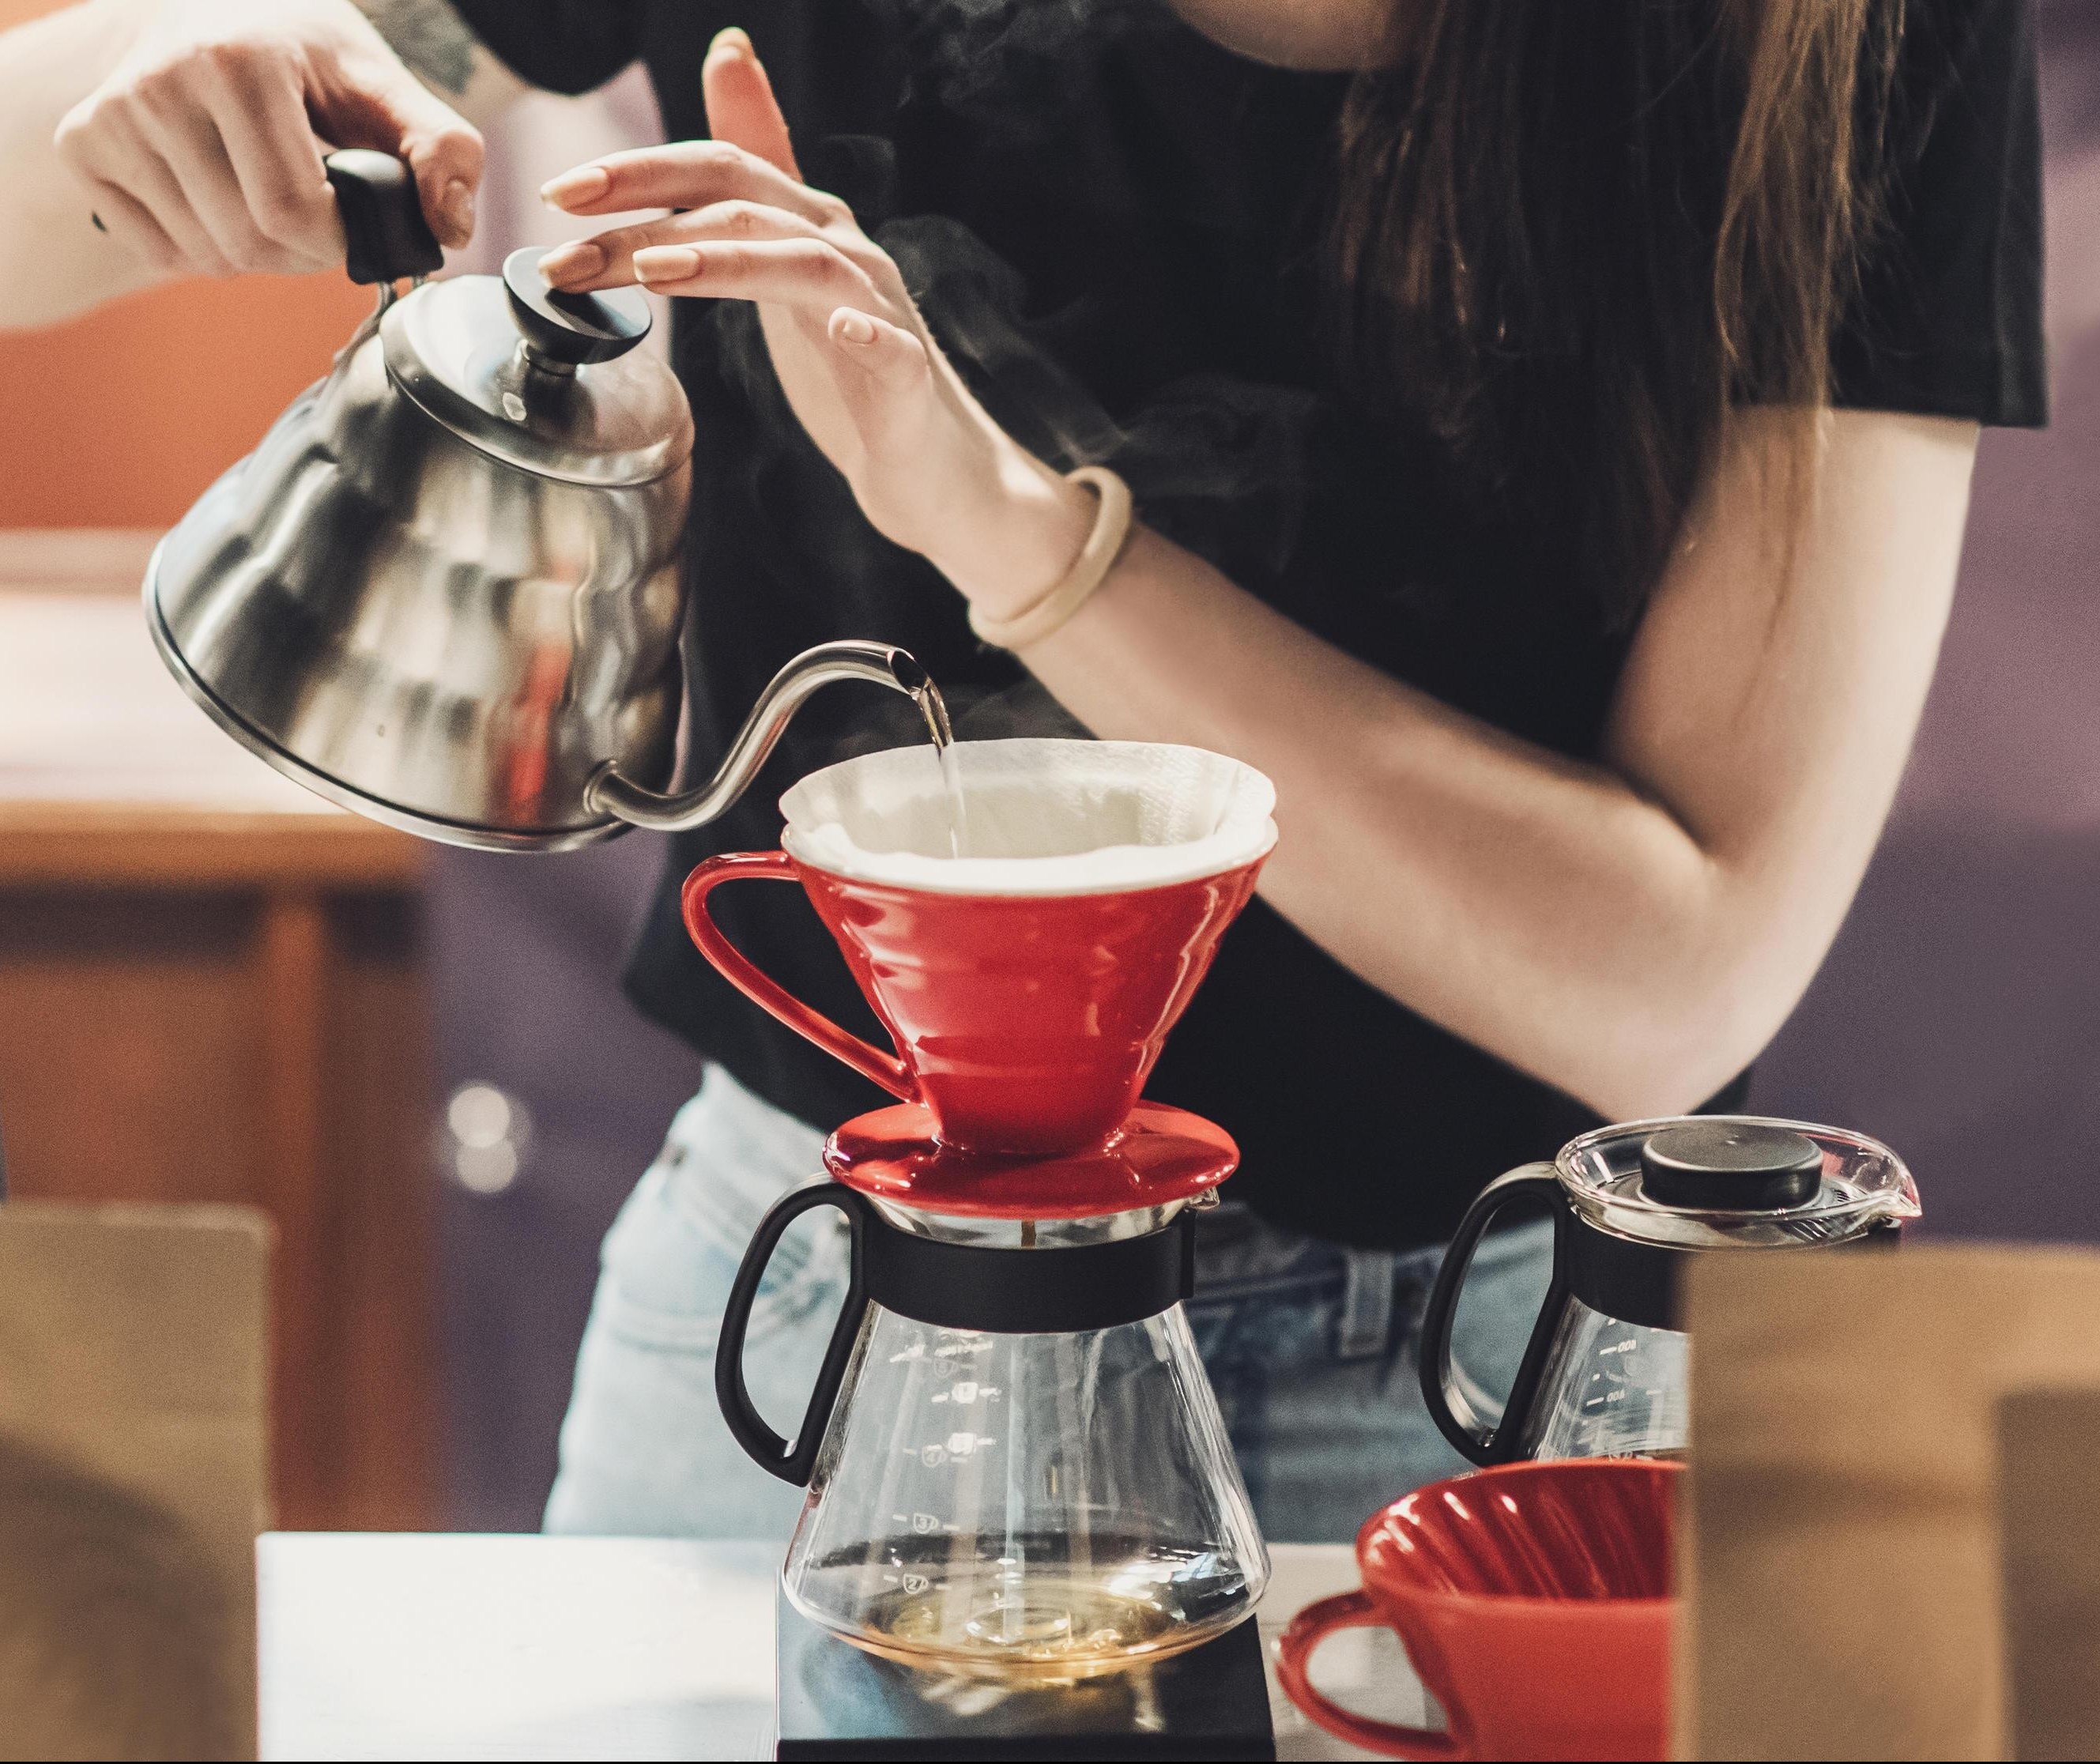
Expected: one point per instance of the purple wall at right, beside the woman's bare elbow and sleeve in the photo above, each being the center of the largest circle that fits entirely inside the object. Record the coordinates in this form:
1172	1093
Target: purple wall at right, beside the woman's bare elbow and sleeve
1958	1015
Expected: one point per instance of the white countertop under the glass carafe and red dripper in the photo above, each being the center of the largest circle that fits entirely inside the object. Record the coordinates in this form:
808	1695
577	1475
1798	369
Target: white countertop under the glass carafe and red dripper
604	1647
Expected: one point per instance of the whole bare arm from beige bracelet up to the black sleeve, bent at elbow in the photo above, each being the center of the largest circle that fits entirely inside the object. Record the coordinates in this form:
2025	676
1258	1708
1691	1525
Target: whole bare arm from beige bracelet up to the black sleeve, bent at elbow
1637	929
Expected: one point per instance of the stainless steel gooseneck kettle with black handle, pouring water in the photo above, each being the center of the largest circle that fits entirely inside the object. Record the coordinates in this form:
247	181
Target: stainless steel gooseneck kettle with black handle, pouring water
444	591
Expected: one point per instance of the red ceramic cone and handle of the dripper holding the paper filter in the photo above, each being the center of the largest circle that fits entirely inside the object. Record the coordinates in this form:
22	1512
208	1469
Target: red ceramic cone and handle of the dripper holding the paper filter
1024	1024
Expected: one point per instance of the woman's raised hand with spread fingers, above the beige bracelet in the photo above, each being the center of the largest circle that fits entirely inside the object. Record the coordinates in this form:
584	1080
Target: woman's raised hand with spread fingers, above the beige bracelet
852	352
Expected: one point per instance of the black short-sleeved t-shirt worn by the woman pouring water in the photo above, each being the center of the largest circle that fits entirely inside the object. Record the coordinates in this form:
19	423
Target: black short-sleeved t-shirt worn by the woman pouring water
1114	228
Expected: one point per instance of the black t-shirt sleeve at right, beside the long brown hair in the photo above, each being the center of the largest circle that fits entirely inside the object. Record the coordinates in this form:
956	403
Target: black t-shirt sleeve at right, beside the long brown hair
1948	320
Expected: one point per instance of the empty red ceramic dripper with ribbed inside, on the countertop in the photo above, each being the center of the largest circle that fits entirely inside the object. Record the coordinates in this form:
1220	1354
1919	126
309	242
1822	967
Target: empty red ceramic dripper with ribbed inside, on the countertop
1534	1601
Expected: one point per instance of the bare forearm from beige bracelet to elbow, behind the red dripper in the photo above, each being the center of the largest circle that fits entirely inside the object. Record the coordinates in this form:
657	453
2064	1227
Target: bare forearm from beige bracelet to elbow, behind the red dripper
1534	906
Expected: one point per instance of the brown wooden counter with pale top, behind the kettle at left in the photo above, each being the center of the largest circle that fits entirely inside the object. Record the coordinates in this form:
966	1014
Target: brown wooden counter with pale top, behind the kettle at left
211	990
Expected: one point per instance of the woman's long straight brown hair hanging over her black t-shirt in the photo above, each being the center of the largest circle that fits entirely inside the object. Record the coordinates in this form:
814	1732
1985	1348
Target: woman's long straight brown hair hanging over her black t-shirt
1574	234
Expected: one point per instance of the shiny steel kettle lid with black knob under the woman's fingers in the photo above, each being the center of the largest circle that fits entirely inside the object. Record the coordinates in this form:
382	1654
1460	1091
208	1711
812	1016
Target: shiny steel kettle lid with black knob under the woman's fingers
543	381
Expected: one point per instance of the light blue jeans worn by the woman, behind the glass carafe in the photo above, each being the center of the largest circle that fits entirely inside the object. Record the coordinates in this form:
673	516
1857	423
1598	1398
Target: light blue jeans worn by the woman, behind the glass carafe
1311	1347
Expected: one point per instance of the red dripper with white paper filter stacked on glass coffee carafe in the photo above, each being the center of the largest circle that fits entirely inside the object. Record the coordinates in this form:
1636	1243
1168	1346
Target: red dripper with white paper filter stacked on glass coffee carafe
1015	1463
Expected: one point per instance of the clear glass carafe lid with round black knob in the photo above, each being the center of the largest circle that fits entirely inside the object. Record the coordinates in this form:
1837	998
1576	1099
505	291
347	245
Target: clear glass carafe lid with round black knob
1734	1183
